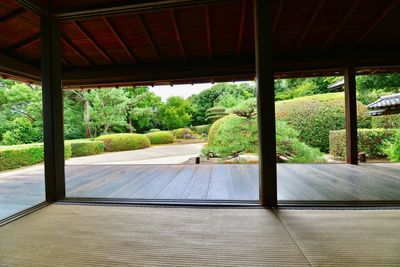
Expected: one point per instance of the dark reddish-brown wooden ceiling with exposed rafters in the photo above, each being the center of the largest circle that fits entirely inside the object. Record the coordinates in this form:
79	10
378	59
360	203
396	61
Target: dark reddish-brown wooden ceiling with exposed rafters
116	42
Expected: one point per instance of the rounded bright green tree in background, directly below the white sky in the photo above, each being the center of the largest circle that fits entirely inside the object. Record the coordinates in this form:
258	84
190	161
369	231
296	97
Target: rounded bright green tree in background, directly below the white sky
175	113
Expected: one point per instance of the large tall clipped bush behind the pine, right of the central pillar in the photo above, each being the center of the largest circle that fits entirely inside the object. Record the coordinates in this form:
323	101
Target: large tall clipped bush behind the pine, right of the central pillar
314	116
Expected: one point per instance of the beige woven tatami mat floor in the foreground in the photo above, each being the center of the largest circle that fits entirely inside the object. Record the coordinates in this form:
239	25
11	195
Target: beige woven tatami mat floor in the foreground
75	235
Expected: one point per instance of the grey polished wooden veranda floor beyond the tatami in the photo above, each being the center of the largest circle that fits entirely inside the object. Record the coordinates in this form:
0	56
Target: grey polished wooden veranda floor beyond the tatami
338	182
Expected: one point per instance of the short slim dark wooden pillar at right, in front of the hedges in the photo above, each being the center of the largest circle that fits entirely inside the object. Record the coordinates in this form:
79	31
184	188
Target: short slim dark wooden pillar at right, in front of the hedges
351	114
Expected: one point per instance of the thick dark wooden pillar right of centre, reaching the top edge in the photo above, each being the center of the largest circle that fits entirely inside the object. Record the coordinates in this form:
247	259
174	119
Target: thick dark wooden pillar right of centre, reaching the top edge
265	102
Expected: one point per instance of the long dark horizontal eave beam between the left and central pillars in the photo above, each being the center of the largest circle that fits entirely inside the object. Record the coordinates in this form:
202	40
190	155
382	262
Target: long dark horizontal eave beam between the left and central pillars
155	73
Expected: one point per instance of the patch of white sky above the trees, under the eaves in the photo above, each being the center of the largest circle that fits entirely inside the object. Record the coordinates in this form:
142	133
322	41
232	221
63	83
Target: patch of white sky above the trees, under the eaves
183	90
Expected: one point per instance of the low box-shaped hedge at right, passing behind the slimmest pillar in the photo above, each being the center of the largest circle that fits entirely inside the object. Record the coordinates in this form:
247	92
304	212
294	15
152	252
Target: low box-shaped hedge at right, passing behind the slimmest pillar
370	141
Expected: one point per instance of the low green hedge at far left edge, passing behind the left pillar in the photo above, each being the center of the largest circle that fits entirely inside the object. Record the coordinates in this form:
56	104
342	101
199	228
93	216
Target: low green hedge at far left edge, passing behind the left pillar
12	157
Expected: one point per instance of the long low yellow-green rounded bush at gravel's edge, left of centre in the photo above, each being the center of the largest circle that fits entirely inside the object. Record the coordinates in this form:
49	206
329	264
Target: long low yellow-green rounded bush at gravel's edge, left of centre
124	141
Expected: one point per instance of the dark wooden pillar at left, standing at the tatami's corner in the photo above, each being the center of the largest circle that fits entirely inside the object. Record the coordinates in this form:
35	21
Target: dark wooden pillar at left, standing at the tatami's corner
52	109
